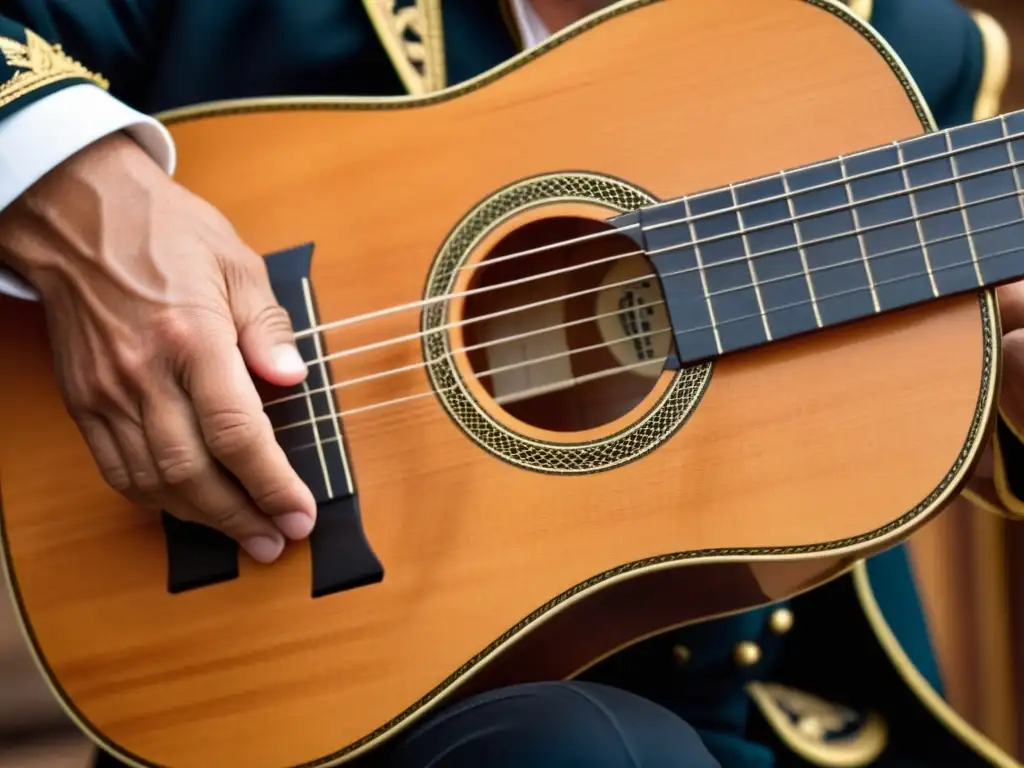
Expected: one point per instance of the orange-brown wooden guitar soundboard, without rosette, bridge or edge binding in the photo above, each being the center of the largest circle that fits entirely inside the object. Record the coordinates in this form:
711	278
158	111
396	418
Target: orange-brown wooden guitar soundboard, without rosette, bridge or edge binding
808	443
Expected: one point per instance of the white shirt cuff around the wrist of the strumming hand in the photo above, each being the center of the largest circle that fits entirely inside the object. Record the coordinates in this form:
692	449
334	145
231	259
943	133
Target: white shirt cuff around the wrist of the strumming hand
36	140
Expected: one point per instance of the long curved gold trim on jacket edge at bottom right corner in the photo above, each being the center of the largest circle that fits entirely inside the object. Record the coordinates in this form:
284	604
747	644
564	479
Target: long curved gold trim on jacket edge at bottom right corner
919	686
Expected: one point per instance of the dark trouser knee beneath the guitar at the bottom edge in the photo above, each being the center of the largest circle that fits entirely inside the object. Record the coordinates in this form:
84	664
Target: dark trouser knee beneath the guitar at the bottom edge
543	726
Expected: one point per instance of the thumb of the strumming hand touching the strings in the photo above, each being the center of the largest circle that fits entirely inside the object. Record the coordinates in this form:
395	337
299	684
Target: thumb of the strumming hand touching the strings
267	338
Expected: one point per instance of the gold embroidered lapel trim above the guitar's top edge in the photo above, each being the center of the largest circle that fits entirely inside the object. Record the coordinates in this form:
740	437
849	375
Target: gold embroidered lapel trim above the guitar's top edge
414	38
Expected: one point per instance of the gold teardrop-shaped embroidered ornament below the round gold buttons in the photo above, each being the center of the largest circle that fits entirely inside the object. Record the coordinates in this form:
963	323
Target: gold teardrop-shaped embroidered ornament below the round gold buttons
814	729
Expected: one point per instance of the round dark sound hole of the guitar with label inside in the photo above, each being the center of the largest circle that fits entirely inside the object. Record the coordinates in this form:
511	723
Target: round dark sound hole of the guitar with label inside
583	343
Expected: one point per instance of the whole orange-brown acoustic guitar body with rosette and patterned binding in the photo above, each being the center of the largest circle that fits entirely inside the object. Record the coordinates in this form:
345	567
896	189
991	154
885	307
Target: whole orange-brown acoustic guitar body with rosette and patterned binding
523	528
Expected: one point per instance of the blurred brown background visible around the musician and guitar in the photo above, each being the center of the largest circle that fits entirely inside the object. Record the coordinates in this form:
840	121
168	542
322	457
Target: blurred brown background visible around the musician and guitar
971	566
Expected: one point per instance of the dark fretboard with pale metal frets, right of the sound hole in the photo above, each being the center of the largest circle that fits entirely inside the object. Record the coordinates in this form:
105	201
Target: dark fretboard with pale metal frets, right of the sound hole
841	240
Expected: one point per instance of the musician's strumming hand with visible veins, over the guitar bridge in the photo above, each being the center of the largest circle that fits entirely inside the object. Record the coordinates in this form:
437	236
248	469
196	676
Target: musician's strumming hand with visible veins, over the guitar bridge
155	309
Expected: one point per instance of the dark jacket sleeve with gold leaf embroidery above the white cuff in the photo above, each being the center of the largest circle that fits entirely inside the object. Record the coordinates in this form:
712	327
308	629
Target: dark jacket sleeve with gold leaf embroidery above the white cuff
49	46
